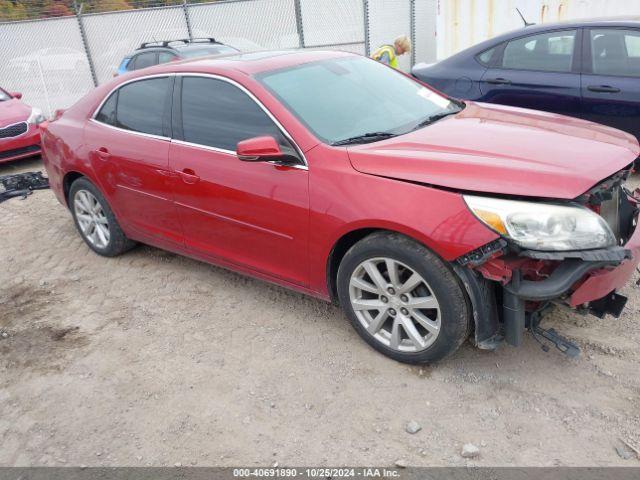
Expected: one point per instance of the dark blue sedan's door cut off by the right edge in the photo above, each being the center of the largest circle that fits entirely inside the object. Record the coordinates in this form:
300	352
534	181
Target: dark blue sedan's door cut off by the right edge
611	78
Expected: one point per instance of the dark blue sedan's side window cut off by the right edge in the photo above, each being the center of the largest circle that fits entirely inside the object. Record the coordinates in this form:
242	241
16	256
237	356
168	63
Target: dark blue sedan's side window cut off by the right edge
615	52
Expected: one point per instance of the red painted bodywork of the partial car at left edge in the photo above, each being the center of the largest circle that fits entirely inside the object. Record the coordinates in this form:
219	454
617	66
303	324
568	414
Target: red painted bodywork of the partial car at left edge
13	148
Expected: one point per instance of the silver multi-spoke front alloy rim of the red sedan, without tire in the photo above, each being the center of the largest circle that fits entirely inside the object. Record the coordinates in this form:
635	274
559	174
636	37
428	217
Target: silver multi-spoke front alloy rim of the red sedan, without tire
394	304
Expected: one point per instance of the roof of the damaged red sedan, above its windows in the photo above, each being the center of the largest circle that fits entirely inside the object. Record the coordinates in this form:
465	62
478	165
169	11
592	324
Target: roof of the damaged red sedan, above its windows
250	63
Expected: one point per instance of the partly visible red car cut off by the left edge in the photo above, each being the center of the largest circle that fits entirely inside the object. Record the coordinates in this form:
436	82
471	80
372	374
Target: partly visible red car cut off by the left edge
19	127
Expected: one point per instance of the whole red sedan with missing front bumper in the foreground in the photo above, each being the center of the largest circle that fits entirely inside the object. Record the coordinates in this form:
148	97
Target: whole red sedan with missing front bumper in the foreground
424	217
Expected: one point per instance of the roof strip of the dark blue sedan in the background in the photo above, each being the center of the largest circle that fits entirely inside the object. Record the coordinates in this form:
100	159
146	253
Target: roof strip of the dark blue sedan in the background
626	21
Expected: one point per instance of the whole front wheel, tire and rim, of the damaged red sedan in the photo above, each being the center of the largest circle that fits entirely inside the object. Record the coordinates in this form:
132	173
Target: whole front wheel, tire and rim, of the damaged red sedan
431	320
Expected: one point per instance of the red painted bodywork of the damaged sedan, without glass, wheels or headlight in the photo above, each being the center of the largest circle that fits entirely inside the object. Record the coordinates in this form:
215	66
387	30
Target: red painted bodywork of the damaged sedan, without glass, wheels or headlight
282	223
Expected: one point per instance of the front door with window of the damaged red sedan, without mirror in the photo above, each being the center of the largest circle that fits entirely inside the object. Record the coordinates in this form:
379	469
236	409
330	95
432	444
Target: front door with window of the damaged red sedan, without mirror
250	214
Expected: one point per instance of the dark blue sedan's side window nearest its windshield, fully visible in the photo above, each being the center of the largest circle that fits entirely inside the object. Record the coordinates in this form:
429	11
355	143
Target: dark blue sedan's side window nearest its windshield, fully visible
549	52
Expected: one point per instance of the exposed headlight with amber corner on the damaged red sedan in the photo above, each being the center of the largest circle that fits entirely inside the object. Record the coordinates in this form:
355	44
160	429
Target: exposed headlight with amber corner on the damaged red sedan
543	226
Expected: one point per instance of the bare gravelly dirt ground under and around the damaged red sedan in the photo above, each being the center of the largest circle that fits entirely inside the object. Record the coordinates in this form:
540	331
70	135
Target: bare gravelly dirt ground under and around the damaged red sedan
155	359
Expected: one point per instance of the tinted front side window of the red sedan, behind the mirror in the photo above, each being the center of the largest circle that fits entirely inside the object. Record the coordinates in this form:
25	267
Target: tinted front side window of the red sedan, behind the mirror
218	114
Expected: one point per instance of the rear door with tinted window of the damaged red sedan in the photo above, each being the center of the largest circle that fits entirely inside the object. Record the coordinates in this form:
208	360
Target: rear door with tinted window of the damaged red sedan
129	142
